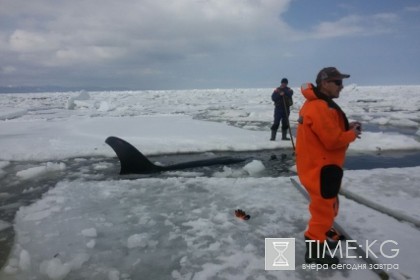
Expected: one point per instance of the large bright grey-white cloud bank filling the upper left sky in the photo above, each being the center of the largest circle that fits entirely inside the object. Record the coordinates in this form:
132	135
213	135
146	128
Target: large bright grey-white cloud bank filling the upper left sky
85	31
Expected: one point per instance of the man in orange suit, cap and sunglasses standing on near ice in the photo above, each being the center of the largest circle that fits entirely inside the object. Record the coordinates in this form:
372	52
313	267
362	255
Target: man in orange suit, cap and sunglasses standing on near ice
323	136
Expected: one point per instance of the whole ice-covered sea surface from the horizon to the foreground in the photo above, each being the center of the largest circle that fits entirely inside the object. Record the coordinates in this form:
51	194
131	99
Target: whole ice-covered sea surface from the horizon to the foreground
87	222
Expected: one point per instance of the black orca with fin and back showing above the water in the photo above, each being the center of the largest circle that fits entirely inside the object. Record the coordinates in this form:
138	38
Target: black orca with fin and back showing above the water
132	161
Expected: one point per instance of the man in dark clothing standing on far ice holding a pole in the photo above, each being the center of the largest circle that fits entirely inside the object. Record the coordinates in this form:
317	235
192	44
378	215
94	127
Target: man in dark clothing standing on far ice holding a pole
282	98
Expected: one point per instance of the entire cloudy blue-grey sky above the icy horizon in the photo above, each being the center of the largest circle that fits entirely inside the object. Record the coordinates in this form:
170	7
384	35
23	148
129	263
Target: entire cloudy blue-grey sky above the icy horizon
186	44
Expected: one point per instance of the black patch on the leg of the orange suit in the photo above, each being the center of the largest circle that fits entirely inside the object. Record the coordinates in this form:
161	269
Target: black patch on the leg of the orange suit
331	176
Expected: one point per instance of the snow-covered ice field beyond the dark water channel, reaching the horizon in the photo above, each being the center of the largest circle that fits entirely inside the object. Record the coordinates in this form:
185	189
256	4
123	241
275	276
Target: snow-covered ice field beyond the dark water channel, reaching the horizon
74	124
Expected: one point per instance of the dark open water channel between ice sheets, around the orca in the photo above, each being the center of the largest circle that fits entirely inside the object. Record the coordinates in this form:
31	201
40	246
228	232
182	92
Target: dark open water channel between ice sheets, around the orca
16	192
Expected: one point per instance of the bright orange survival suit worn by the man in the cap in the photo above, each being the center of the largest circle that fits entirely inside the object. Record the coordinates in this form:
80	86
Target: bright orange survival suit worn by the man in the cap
322	139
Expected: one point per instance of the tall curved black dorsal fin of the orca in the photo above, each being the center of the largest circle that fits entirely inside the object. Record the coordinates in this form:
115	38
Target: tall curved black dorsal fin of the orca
132	160
